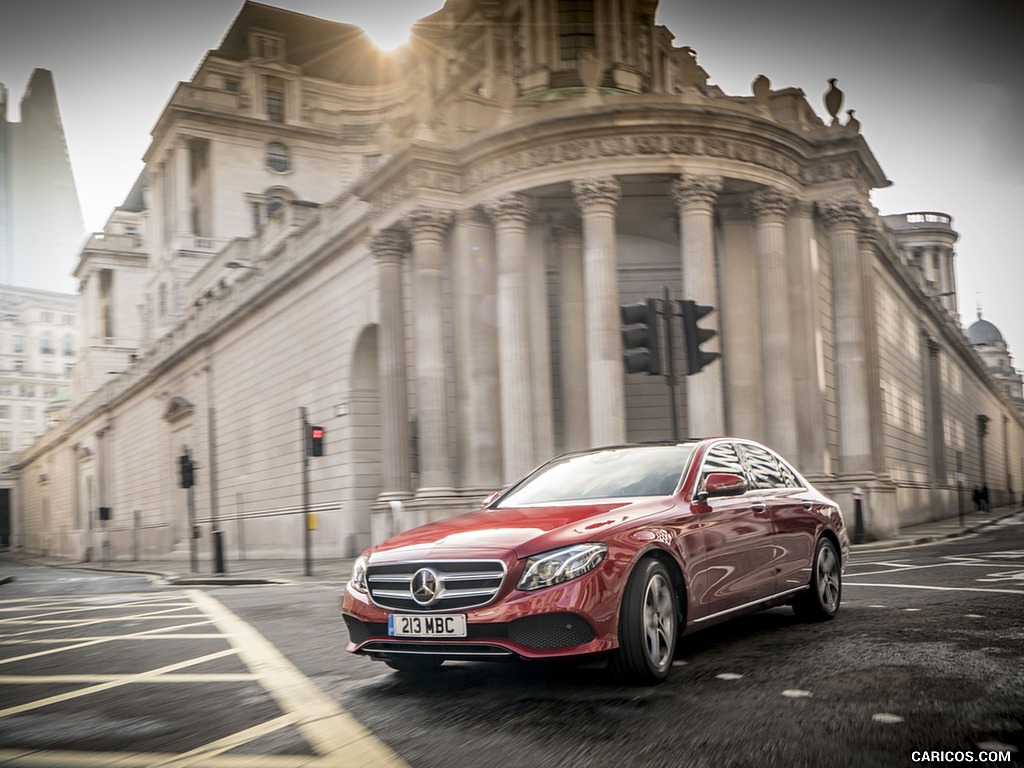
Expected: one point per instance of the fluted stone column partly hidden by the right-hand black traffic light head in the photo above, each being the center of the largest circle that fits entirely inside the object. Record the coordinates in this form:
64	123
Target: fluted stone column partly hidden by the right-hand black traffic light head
696	198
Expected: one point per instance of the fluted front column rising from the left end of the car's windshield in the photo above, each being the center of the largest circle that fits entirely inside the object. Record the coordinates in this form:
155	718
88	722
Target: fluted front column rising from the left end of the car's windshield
510	215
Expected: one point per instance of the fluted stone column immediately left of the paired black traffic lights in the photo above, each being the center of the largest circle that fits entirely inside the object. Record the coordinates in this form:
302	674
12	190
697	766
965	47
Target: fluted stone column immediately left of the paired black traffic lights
598	199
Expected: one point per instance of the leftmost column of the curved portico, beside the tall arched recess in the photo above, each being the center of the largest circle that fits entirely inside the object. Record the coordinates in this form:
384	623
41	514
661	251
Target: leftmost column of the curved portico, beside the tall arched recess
390	248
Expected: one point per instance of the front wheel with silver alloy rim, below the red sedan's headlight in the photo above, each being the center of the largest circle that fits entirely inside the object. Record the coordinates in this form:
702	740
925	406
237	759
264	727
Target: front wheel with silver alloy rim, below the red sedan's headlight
649	622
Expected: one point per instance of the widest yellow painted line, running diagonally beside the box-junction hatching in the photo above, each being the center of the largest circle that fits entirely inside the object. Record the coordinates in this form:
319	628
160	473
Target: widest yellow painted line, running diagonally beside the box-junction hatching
329	730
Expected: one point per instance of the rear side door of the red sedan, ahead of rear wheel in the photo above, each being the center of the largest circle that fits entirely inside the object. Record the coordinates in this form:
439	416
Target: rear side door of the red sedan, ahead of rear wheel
790	507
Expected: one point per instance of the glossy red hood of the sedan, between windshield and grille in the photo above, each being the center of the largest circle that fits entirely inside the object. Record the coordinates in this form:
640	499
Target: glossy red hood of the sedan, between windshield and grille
523	531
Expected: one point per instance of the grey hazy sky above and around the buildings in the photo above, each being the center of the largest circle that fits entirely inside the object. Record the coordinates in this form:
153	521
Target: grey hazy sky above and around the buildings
936	86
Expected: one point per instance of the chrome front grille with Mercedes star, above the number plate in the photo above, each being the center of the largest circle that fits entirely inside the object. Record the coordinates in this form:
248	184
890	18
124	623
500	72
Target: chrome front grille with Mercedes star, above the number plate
439	585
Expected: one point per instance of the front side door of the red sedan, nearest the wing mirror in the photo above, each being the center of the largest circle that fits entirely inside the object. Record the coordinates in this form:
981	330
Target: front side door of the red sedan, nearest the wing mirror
738	556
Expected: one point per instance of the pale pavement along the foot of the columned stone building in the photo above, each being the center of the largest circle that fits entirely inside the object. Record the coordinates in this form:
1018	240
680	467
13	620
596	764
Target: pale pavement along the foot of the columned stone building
335	572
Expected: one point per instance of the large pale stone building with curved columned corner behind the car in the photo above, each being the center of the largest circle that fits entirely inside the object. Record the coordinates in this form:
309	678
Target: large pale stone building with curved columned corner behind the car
425	253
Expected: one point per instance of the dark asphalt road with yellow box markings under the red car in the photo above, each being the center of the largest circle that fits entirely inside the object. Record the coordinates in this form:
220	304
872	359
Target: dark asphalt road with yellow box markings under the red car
924	666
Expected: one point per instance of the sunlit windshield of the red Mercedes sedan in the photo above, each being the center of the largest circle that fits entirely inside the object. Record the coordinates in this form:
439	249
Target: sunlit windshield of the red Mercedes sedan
642	471
